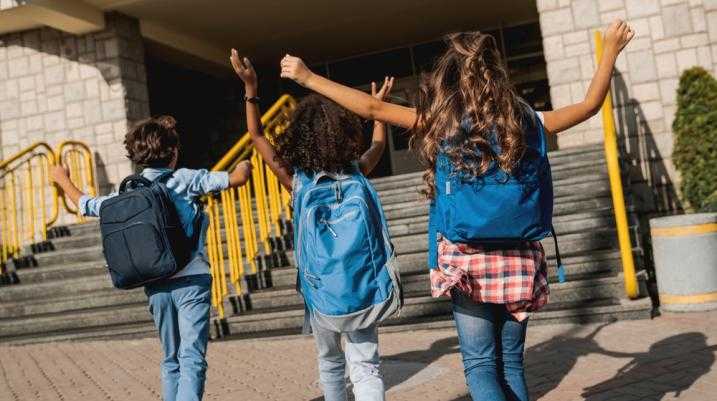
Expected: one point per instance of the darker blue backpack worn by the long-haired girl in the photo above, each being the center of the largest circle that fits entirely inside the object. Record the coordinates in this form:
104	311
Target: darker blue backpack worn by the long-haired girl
495	207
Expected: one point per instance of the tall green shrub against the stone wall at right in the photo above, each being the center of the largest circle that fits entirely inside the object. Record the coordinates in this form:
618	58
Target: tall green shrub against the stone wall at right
695	128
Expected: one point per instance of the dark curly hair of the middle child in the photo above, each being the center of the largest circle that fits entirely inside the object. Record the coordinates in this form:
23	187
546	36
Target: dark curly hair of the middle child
322	136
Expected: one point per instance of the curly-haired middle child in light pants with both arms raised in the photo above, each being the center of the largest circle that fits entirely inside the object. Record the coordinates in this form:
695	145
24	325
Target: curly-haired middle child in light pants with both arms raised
345	260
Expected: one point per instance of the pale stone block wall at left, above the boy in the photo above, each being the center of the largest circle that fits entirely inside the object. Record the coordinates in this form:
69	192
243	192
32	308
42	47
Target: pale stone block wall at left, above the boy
56	86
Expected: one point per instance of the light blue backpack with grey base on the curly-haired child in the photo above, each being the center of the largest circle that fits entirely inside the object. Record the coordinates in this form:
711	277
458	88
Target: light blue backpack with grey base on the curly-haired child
347	270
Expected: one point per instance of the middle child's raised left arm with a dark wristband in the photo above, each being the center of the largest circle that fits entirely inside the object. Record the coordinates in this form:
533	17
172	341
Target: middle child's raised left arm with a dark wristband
246	72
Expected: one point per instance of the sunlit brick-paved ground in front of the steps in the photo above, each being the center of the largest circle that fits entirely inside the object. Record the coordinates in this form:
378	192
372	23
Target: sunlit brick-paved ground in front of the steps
668	358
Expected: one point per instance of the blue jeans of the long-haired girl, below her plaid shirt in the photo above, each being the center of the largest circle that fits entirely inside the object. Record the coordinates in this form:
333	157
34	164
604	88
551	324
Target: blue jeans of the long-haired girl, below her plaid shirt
492	344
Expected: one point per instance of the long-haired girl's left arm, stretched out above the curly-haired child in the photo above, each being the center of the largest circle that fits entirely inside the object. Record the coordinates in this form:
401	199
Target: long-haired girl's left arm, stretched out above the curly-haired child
355	100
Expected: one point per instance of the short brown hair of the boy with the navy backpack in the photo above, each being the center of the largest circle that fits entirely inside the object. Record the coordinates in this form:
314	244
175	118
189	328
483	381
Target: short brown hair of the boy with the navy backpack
153	142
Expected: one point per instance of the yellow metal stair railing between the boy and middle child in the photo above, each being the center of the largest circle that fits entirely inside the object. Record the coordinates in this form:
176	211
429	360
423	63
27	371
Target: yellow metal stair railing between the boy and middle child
263	206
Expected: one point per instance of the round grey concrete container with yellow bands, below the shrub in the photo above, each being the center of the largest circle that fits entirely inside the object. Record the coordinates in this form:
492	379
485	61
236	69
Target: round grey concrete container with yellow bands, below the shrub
685	251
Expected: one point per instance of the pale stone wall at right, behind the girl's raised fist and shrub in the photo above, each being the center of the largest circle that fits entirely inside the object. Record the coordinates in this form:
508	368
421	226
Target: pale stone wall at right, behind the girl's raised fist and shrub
672	35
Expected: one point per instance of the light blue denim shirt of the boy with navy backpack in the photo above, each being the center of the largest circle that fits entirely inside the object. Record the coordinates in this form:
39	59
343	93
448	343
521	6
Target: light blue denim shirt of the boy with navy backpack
185	186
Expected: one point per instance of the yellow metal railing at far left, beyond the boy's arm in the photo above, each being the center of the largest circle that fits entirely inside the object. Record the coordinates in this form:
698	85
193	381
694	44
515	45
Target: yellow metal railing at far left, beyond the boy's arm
30	203
